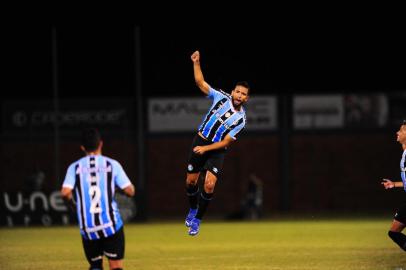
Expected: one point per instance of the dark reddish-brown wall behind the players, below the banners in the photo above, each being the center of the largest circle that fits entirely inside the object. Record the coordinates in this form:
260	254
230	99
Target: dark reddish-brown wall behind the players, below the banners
329	172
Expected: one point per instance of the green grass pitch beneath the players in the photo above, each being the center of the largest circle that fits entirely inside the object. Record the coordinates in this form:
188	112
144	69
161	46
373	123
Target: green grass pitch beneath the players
271	244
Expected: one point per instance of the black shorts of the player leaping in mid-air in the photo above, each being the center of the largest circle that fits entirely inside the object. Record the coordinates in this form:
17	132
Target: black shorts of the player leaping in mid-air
211	161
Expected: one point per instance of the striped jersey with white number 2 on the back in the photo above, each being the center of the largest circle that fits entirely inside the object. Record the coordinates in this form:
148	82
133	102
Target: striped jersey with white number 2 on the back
93	180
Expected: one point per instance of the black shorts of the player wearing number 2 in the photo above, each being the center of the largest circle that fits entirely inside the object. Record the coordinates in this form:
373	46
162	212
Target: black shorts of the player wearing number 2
112	247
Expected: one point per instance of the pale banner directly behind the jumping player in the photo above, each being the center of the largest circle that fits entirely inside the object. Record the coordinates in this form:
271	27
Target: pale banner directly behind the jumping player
186	114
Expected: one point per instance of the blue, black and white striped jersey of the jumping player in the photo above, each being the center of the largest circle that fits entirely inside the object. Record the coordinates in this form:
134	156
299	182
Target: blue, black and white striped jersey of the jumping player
222	118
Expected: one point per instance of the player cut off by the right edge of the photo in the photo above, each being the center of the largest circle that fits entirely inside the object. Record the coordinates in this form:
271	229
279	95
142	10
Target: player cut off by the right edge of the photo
399	221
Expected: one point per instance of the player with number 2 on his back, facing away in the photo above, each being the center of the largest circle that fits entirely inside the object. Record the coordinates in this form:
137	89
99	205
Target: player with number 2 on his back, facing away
90	184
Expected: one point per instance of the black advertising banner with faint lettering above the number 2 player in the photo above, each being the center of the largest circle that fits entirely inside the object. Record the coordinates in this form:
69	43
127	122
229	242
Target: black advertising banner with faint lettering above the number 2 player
40	116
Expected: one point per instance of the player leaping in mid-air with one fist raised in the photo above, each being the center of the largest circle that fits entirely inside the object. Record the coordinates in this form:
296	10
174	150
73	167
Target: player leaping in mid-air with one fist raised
220	127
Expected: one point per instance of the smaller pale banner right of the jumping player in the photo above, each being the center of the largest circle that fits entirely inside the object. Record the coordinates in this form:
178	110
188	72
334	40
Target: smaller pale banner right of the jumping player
318	111
